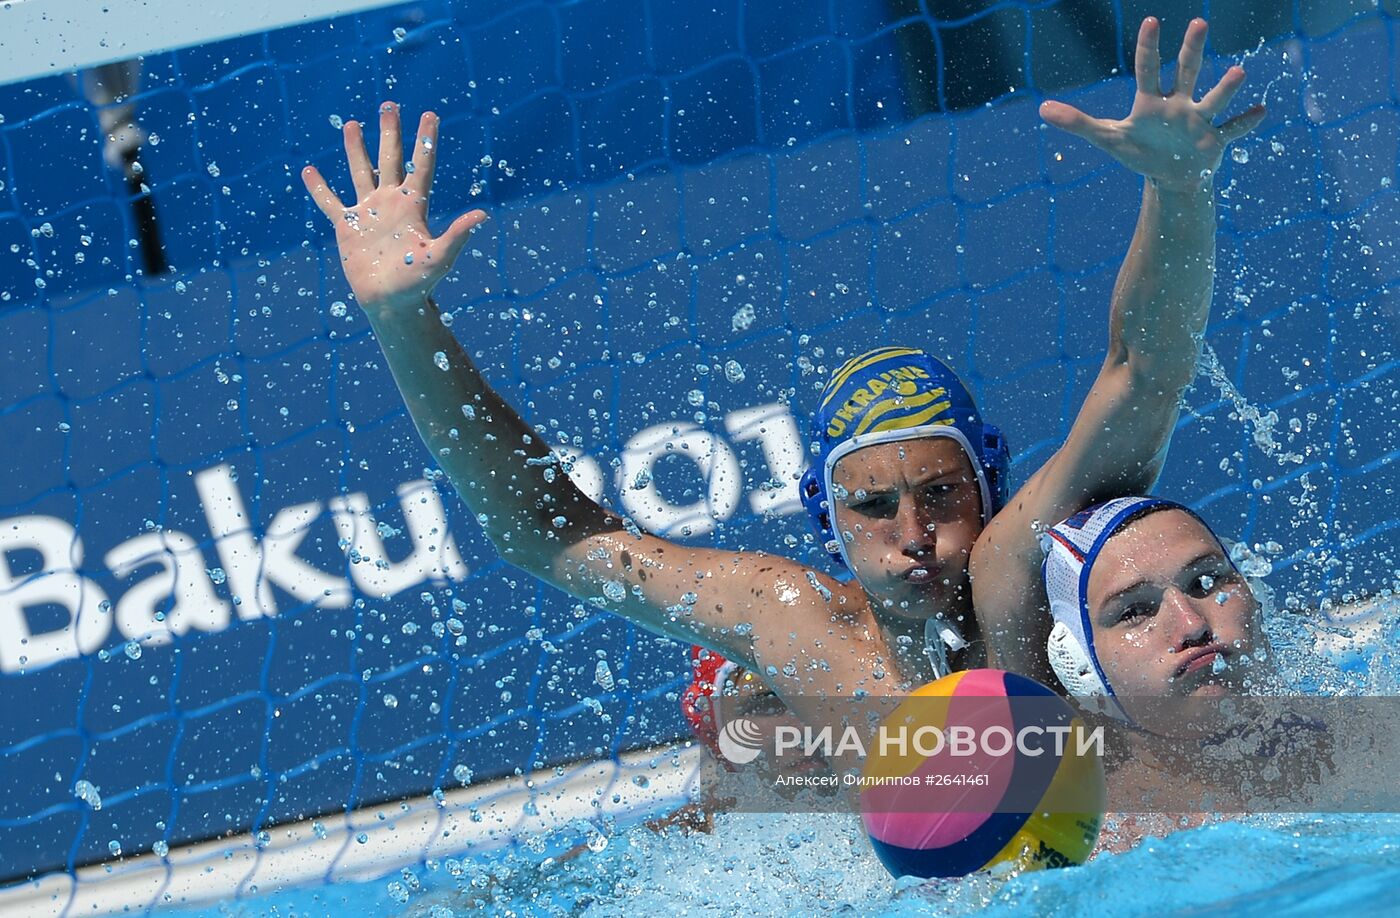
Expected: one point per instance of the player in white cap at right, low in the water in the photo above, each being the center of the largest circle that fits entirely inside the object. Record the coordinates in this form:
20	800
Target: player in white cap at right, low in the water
1150	614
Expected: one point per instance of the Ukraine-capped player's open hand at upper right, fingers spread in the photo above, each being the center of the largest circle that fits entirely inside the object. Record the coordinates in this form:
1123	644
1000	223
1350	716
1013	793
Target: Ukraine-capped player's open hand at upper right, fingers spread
1167	138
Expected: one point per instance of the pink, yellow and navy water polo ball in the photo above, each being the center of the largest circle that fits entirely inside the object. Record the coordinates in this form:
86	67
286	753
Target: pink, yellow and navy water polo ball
953	798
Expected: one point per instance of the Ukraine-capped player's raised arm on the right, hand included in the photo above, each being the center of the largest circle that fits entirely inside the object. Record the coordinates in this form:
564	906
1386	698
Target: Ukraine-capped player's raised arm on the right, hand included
1160	307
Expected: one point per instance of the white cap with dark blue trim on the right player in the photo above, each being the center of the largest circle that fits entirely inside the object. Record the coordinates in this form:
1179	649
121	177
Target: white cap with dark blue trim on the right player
1072	549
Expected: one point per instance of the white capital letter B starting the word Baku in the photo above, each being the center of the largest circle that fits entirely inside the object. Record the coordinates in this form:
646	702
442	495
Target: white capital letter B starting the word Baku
58	583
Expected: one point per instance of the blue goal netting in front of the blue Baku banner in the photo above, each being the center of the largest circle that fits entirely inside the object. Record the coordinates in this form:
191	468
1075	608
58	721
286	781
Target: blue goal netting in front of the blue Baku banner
698	211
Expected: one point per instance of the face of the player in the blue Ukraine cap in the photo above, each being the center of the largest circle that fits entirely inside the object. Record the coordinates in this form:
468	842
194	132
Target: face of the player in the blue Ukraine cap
909	513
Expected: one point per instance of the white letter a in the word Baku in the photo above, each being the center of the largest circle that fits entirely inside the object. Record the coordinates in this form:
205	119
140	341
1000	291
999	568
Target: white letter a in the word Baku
183	577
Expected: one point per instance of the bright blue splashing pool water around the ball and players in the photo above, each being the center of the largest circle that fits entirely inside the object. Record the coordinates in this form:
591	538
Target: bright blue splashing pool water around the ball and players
821	864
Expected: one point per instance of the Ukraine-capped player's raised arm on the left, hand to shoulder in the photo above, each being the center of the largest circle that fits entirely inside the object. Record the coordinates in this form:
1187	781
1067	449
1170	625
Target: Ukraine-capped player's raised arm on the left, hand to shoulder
736	604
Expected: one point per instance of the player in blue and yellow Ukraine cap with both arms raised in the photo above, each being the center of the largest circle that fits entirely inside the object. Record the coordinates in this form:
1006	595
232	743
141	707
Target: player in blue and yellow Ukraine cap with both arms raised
915	499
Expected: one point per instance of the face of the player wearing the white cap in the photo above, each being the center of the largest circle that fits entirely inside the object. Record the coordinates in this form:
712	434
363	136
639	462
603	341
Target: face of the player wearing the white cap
1171	615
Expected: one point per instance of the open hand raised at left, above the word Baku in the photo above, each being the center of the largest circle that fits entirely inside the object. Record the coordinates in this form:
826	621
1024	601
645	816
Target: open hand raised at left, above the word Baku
387	251
